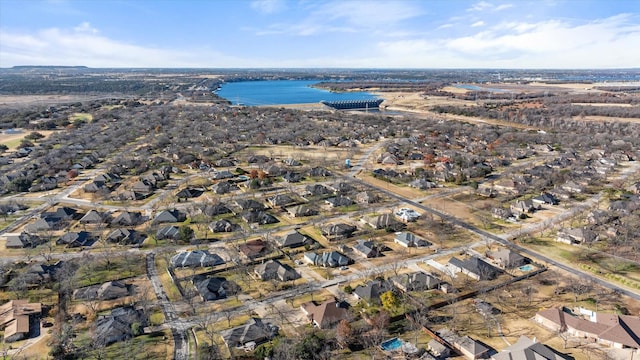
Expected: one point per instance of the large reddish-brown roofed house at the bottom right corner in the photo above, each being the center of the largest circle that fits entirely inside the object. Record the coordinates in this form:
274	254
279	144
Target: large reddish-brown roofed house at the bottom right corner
617	331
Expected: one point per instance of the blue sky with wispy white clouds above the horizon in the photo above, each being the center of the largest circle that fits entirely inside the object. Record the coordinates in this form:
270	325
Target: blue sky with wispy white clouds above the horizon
326	33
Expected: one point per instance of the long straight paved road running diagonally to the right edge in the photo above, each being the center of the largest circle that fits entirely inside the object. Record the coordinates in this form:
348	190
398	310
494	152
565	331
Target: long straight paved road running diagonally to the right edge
487	235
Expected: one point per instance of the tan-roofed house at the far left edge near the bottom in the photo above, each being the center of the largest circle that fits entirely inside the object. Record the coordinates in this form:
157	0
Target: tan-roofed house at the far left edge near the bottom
18	318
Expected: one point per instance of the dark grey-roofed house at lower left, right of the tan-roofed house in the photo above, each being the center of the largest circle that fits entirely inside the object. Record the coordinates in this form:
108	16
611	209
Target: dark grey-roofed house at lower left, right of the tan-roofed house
117	326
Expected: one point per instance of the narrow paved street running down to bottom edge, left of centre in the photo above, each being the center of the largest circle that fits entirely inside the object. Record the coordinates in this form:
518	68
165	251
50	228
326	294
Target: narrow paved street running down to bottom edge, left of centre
178	328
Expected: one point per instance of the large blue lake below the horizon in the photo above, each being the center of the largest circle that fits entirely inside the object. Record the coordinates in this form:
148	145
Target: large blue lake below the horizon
279	92
